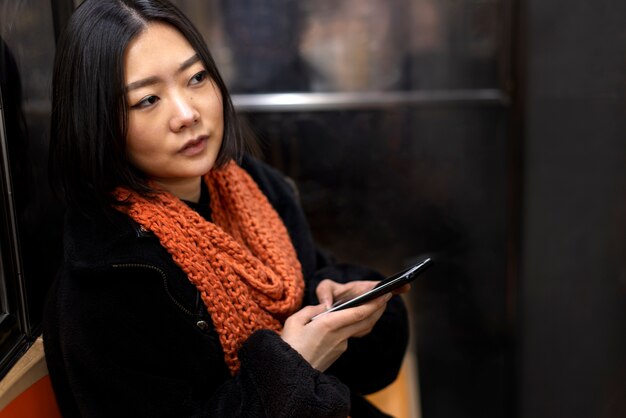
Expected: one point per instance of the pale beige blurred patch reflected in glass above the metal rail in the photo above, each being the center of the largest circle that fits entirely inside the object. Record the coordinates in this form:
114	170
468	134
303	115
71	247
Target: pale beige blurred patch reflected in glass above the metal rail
353	45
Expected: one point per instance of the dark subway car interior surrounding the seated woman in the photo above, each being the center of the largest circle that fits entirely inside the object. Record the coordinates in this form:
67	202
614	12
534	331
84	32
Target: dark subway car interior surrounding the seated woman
488	133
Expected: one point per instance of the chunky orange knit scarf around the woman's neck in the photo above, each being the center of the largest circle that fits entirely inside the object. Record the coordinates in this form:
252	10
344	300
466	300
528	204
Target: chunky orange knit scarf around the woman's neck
243	263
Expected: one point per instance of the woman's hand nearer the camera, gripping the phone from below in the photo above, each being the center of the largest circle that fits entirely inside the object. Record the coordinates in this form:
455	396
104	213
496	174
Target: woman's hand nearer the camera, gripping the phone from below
323	340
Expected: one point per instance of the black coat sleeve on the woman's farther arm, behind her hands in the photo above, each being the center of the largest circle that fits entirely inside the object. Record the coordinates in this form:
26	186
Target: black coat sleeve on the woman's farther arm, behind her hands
371	362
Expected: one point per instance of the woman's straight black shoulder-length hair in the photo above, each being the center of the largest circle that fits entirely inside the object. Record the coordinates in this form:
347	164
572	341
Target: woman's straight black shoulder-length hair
89	105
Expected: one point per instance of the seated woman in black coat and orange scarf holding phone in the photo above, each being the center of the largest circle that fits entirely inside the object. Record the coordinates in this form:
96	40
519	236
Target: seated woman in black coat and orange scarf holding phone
190	275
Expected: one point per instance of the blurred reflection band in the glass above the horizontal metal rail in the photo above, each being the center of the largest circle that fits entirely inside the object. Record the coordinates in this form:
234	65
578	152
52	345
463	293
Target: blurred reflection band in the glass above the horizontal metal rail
265	46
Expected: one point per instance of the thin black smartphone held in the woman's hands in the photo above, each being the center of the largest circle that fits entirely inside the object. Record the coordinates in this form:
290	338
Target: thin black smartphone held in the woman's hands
389	284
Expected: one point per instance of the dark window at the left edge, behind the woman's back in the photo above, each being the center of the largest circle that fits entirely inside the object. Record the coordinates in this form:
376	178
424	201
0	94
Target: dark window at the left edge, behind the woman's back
29	219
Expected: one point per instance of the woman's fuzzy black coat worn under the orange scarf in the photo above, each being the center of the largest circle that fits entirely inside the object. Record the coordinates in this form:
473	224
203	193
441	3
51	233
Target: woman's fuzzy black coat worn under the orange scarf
126	333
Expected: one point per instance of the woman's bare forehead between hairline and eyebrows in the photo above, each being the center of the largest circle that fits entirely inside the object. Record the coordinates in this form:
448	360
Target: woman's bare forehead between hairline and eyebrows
158	48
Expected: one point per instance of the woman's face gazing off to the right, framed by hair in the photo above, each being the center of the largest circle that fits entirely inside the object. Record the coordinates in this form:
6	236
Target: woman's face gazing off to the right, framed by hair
175	120
